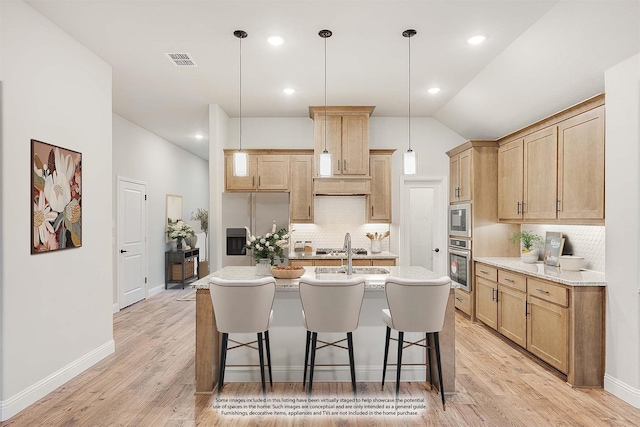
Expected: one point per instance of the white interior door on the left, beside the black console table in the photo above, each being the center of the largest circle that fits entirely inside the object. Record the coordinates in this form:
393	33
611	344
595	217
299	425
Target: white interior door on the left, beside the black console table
132	232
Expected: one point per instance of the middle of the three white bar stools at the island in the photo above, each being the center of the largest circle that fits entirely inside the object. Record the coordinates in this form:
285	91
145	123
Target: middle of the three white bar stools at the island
330	306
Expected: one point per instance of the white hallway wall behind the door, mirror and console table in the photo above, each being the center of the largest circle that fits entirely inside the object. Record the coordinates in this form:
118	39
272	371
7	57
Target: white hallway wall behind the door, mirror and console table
166	169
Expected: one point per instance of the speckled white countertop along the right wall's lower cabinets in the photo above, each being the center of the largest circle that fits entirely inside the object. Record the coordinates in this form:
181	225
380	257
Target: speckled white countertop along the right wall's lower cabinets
547	272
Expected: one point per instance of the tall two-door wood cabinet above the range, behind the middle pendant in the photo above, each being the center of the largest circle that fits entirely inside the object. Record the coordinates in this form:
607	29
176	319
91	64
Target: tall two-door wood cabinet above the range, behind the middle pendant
347	137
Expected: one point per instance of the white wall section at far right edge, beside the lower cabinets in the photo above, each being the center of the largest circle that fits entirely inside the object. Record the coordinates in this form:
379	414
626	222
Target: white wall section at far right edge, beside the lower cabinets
622	376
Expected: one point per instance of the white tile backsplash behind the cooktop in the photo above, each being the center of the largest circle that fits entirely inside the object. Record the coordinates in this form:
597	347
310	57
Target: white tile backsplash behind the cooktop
334	217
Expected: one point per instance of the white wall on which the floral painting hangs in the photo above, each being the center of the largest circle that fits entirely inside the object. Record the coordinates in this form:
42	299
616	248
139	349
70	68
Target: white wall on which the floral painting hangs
56	307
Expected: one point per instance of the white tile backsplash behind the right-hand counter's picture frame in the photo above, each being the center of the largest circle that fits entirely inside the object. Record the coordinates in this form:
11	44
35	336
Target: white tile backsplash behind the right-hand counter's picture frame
580	240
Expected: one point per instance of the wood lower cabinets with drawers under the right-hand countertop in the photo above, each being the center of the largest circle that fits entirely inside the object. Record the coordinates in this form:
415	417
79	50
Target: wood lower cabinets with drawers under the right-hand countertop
561	325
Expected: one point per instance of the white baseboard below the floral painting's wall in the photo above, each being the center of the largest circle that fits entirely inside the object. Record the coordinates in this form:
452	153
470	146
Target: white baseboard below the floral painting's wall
30	395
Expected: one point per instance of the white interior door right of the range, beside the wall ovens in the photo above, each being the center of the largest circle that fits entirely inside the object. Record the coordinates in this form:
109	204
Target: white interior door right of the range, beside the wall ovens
423	230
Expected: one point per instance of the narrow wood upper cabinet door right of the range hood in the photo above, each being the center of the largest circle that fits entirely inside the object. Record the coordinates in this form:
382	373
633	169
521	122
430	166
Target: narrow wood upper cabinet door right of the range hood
379	201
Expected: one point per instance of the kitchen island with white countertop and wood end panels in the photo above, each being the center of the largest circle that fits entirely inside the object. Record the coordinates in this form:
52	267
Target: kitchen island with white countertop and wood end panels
287	335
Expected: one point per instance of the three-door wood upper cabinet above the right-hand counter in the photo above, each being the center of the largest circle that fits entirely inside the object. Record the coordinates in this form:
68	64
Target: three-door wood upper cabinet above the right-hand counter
555	173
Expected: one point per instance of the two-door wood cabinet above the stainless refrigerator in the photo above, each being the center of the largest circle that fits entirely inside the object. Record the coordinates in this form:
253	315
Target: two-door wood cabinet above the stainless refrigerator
267	172
